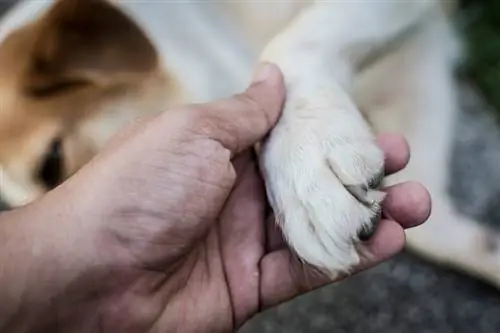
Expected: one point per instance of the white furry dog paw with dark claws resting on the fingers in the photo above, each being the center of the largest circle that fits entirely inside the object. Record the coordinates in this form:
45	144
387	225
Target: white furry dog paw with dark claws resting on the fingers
322	173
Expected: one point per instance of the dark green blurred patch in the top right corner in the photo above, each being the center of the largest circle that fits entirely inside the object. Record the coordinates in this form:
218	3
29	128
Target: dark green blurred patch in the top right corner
481	26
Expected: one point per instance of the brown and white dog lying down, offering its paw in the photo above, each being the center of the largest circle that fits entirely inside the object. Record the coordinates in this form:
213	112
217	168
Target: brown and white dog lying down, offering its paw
76	71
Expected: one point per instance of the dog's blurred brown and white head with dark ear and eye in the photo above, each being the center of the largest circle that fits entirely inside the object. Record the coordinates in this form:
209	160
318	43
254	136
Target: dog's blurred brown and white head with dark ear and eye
69	80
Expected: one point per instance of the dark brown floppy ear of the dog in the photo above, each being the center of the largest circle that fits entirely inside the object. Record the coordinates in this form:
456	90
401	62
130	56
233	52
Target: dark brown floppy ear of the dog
86	42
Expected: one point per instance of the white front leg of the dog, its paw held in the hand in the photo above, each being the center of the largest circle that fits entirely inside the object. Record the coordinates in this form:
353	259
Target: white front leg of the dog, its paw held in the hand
321	163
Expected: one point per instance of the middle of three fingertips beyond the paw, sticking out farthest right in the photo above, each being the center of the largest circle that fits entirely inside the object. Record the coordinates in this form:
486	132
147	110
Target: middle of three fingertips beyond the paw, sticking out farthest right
407	203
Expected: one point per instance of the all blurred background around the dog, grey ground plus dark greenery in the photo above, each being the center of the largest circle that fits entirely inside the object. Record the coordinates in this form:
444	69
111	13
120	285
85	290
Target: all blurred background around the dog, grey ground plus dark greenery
406	294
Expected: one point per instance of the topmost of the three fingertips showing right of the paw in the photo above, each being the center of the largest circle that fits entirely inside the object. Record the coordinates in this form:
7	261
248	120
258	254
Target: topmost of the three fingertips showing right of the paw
397	152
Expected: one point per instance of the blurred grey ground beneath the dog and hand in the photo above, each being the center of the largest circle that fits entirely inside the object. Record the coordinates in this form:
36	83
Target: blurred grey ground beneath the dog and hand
408	295
